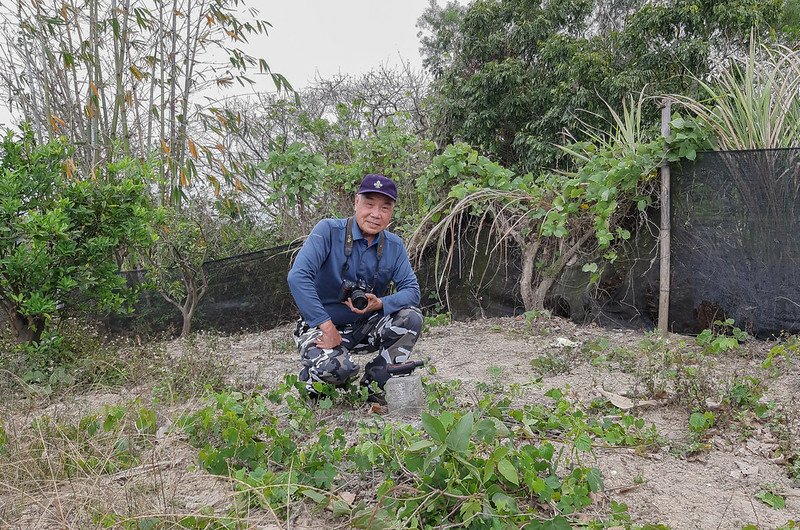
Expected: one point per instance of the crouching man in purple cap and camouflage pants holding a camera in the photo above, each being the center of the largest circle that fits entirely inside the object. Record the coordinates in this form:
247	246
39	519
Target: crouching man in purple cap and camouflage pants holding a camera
340	282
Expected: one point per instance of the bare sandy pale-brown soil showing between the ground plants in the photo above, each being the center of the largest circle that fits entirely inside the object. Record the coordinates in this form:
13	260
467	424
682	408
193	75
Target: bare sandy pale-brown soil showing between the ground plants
713	488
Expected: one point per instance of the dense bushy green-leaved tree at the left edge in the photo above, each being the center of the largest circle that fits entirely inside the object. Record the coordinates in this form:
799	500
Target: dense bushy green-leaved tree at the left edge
61	236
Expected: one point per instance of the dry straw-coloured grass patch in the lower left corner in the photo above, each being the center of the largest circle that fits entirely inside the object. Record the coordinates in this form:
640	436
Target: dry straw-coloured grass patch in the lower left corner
100	456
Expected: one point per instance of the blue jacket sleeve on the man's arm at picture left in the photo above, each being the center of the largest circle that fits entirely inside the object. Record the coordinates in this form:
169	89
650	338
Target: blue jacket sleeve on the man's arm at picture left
304	271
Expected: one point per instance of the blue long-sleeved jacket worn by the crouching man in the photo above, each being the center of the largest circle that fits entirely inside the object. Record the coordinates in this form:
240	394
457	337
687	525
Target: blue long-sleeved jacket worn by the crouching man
316	276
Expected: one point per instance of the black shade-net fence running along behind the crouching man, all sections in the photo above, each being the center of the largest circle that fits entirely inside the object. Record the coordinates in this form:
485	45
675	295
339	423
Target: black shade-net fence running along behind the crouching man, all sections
735	254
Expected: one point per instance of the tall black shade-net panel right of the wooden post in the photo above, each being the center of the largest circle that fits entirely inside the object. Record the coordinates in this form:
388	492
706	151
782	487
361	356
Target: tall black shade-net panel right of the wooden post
736	241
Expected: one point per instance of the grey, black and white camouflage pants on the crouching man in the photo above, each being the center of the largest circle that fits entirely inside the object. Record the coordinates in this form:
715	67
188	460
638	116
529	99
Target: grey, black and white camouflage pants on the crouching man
392	336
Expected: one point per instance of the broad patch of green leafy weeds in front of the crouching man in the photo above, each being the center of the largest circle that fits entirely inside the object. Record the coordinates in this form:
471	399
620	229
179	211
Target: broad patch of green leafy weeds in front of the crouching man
472	467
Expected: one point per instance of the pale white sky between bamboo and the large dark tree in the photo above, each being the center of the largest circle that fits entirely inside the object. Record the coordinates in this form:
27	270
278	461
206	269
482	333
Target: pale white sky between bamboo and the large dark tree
319	37
